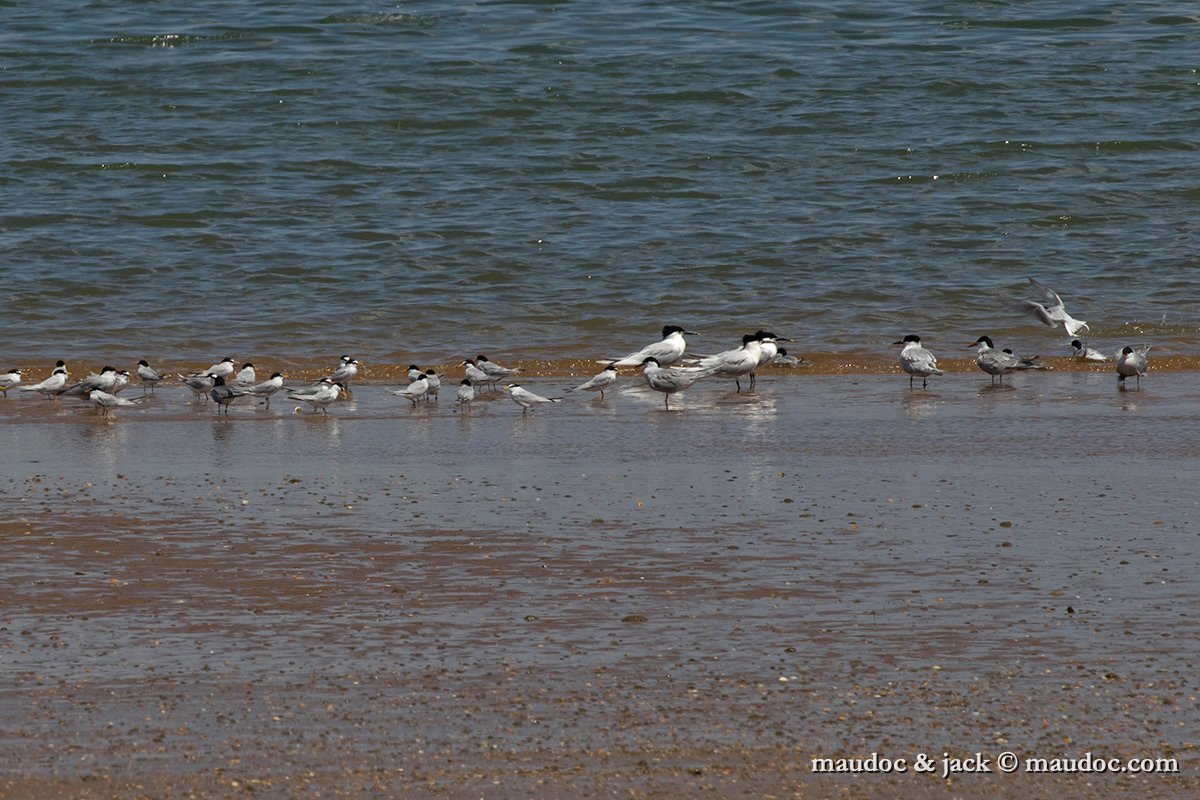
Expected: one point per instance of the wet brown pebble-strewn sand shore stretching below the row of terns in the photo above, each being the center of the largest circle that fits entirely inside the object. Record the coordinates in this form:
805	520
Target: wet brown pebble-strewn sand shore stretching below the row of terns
604	598
